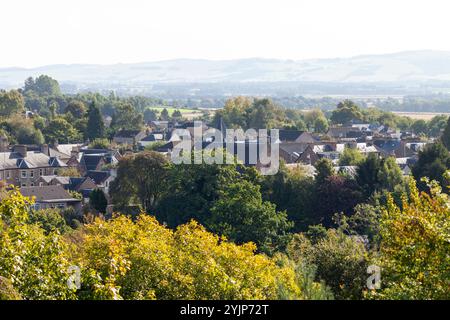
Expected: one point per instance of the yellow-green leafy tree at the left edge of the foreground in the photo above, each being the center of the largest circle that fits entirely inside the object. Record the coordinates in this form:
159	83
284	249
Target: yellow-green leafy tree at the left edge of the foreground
35	263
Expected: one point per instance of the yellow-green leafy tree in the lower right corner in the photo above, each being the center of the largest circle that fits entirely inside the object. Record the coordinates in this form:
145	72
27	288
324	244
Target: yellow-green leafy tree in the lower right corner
415	247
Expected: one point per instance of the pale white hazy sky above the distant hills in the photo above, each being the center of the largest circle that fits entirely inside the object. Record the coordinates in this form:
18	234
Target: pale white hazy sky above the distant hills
35	33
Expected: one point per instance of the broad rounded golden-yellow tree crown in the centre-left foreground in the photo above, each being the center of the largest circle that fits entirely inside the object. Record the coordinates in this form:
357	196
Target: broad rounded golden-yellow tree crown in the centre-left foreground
143	259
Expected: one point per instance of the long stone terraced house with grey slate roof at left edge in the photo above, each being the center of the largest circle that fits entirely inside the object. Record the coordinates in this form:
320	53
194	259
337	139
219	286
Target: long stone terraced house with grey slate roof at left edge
23	168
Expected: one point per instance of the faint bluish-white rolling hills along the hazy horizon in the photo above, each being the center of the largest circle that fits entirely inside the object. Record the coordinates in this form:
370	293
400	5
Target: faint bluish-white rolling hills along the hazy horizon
404	67
